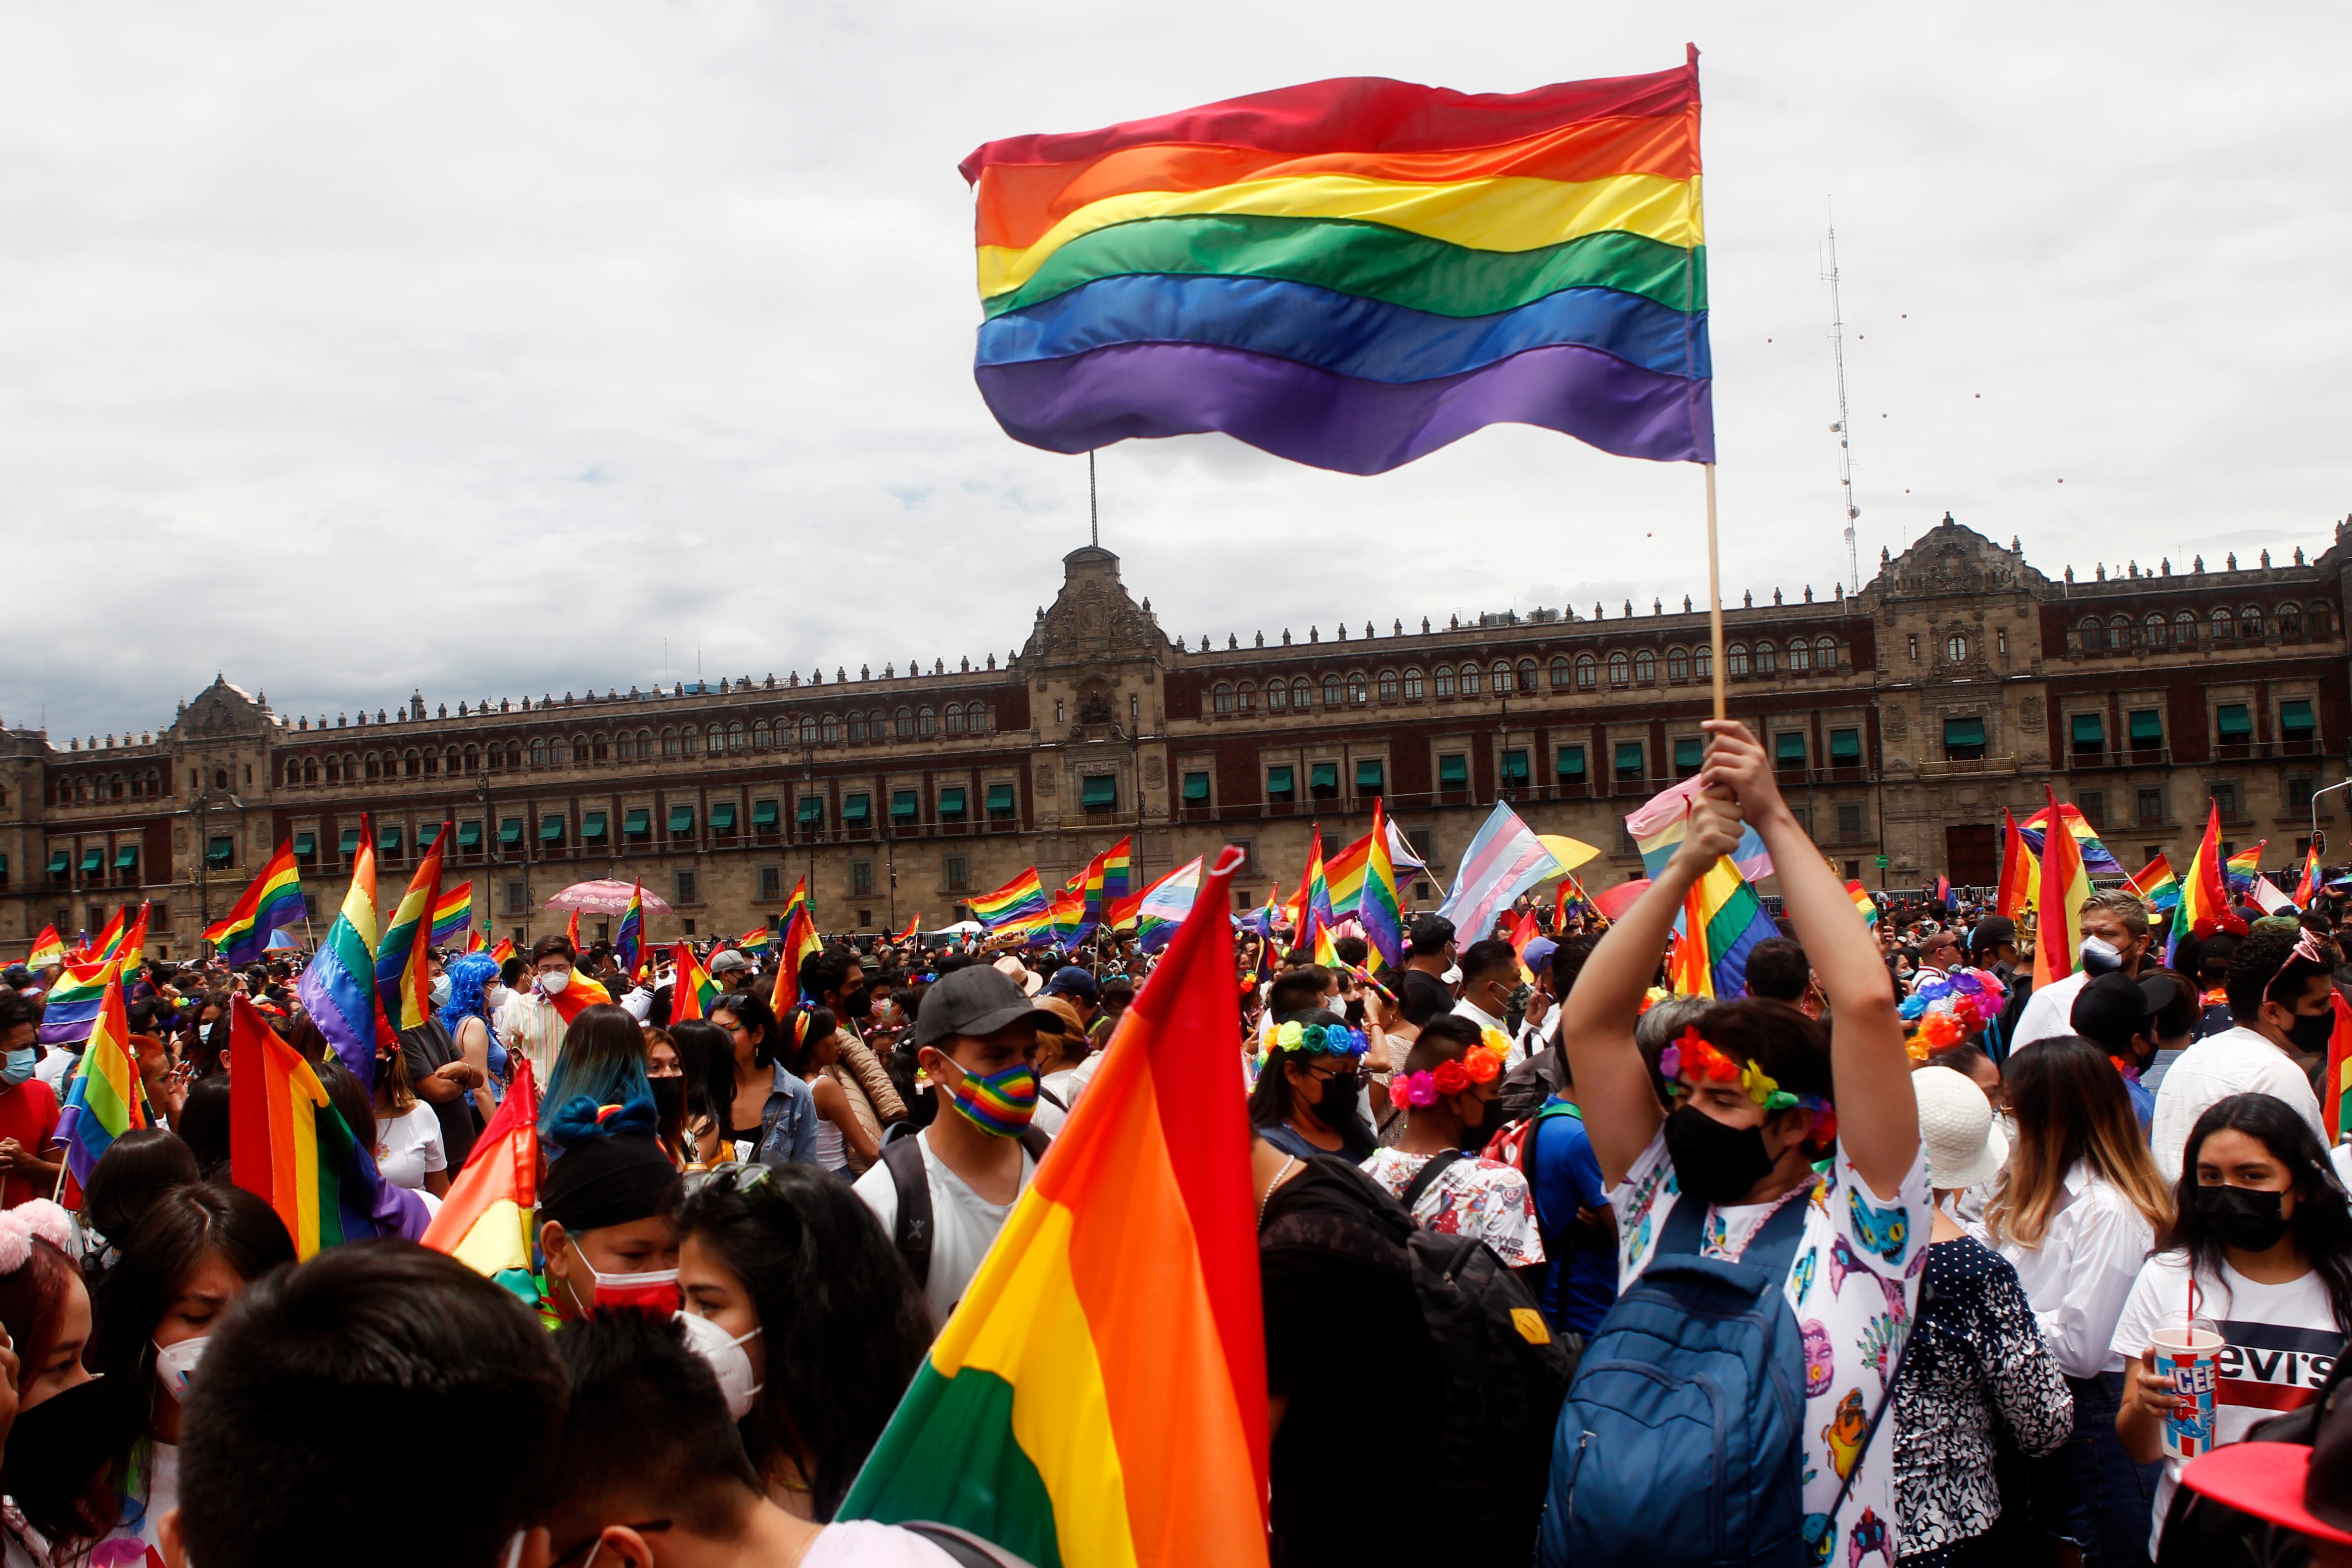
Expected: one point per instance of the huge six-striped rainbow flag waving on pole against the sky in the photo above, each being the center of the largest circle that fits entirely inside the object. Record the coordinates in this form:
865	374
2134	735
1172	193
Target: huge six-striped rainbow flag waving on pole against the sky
1356	274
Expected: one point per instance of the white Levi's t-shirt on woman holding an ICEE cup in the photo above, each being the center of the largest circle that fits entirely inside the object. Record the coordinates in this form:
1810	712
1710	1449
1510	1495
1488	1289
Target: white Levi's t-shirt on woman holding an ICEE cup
2280	1346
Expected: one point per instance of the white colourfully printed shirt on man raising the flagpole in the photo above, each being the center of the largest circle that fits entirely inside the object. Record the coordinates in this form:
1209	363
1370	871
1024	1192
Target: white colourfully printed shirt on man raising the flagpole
1855	1287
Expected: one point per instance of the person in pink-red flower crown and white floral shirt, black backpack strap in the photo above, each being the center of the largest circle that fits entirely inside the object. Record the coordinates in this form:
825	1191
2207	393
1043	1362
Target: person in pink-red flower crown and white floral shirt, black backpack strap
1448	1097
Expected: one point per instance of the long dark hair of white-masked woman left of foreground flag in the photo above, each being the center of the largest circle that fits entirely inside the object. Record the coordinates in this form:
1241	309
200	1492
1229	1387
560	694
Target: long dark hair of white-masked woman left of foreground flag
841	1318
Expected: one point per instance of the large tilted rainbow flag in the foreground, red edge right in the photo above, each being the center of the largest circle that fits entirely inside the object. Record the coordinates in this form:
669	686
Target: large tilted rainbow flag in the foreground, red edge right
1100	1395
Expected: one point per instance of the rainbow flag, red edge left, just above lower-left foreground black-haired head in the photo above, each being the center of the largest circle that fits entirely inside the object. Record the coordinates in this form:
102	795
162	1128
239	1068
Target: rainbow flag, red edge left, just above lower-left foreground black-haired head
288	1144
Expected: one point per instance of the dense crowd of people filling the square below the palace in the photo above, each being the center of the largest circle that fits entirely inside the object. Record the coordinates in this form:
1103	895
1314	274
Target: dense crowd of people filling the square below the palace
1871	1261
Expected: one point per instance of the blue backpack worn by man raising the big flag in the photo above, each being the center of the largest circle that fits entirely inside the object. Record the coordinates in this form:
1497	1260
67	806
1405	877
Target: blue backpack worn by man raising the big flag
1681	1435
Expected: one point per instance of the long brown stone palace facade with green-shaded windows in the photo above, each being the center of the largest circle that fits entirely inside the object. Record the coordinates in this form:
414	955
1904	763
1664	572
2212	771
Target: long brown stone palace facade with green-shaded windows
1904	721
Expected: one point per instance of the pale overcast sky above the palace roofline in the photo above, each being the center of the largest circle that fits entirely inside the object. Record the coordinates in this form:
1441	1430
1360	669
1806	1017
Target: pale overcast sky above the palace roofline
512	349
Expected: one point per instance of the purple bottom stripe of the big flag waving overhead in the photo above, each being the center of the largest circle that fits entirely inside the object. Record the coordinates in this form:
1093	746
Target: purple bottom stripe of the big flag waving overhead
1339	422
